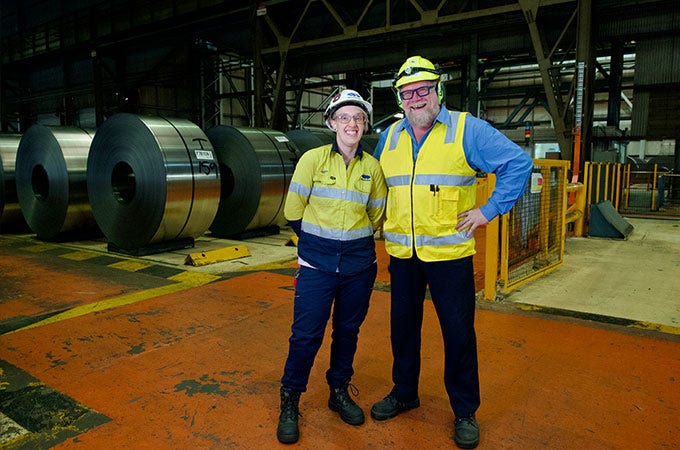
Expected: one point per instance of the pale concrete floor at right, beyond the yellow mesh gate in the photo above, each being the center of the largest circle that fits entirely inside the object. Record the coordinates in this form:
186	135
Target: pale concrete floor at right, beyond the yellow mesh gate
635	282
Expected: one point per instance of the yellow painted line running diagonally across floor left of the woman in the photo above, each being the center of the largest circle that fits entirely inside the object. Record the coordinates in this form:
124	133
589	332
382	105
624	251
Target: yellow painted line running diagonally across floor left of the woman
185	280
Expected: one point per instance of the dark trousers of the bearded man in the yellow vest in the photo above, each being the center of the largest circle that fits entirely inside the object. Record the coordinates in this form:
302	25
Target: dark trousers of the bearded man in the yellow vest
452	288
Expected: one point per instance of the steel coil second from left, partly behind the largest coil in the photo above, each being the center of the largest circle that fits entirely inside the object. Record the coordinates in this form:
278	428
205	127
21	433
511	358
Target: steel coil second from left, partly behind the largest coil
51	180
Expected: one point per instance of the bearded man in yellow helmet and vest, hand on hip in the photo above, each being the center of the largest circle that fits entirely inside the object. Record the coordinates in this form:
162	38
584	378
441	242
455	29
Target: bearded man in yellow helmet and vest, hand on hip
430	160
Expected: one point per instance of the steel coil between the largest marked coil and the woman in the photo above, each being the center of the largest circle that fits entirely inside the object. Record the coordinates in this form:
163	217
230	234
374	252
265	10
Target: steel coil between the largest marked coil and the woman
256	166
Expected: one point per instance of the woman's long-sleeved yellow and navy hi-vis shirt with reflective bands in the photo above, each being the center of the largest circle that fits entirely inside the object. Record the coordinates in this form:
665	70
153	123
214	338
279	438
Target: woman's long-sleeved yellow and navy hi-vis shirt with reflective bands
340	206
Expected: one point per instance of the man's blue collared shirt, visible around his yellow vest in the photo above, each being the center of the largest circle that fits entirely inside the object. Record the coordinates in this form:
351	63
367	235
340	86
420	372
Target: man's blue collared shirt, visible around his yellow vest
487	150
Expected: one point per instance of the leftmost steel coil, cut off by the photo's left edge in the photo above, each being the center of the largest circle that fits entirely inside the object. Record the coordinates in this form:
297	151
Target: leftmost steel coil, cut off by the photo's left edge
11	218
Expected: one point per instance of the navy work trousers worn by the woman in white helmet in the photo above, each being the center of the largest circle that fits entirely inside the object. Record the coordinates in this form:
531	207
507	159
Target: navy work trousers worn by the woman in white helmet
316	294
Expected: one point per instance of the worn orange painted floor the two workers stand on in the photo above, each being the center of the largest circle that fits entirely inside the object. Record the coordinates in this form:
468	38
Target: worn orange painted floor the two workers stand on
198	367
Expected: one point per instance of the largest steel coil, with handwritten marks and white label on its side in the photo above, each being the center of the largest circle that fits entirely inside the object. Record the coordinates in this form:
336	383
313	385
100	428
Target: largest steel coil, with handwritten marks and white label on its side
152	180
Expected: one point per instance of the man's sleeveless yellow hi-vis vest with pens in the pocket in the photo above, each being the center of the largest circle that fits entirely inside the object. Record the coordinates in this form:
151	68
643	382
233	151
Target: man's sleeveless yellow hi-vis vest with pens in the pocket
425	197
